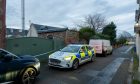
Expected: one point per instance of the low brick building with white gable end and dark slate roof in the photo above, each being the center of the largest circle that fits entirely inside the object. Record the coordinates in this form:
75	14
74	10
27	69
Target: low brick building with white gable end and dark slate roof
44	31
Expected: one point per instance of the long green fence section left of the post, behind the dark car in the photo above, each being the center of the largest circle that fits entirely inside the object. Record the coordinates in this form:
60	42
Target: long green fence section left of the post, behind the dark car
32	46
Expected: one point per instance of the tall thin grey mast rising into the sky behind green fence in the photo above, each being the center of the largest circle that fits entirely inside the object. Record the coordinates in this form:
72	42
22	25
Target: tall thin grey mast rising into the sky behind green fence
23	16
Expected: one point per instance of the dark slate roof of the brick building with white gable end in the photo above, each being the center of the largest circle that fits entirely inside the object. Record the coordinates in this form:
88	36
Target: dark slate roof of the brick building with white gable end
49	29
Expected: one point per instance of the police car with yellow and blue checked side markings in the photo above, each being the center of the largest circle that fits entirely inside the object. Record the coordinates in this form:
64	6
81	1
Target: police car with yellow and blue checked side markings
72	56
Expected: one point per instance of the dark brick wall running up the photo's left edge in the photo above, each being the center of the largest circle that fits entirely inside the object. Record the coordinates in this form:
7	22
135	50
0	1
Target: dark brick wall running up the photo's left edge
2	23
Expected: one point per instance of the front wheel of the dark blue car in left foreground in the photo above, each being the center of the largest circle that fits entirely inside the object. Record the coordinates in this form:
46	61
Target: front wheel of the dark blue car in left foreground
28	76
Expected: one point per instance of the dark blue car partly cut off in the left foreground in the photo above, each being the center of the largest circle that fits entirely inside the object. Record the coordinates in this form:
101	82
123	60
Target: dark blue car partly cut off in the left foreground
23	69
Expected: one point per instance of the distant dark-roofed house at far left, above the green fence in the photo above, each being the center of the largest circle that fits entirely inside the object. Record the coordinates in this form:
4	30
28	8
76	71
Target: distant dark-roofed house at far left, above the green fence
15	33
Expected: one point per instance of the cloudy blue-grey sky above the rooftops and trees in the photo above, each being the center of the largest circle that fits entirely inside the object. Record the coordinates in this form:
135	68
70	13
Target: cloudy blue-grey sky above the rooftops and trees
69	12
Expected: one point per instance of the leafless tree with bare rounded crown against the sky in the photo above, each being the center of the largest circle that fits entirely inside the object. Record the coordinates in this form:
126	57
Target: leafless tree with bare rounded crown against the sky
96	22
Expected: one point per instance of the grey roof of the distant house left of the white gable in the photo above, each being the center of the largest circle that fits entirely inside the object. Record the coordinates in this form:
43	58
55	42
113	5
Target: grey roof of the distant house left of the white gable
14	32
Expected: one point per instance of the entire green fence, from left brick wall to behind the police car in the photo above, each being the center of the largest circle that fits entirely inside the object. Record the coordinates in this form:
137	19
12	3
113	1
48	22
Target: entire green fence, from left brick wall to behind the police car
39	47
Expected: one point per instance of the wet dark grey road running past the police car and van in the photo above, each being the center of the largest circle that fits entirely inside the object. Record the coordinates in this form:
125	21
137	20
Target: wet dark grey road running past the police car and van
112	69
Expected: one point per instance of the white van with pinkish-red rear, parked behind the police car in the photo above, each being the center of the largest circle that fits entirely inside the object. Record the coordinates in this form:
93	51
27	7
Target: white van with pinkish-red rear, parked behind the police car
101	46
